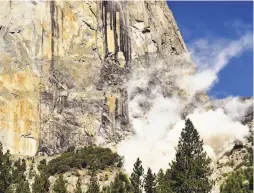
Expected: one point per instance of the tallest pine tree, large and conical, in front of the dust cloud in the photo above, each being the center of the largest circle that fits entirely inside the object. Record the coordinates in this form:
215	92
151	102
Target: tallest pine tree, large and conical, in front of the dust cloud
190	171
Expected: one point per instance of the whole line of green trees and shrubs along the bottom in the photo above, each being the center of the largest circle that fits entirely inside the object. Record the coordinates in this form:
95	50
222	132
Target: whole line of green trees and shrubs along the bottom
189	172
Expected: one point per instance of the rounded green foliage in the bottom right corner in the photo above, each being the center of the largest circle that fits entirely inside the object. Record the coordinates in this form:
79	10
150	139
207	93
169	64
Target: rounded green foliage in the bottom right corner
239	181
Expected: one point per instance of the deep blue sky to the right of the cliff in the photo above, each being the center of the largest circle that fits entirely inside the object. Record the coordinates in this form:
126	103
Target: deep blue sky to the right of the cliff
213	26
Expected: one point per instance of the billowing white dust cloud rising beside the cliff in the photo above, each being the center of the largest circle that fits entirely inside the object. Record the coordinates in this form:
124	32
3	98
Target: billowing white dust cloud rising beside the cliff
157	116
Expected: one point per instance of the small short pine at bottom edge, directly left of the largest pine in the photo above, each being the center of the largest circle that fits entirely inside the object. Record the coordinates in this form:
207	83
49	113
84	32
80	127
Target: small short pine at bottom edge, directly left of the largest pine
163	183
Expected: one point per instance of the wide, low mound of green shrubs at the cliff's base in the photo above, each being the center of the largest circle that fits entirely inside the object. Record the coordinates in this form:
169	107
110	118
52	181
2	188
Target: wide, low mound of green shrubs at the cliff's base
83	158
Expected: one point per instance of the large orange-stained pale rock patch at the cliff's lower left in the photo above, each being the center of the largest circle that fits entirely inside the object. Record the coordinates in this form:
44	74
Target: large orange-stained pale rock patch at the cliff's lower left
19	116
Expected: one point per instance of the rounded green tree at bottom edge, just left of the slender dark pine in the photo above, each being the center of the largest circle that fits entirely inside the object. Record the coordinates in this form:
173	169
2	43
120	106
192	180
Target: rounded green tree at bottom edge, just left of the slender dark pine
121	184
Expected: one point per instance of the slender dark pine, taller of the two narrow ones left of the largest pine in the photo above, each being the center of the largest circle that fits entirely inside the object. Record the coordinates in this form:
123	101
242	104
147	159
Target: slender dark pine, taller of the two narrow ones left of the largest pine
136	176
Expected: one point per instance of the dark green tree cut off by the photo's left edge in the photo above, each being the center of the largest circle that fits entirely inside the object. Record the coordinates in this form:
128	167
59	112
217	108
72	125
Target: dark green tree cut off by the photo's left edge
5	170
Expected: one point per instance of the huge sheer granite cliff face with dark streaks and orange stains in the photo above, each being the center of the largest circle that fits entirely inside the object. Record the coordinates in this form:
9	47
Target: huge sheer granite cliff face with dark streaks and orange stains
65	66
